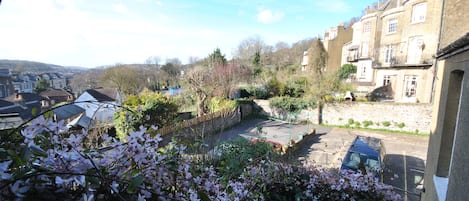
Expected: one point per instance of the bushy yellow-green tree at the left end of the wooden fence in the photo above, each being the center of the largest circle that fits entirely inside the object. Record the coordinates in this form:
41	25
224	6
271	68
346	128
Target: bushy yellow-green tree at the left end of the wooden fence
146	109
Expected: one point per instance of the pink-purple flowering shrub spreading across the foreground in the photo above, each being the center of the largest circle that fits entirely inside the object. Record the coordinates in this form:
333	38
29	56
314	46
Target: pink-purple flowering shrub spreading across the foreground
52	164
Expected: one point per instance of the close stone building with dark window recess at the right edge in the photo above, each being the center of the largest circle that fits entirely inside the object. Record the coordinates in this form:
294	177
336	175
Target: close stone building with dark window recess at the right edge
446	173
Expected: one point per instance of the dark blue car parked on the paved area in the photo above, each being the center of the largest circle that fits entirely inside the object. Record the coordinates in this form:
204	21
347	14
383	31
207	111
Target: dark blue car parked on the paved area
367	155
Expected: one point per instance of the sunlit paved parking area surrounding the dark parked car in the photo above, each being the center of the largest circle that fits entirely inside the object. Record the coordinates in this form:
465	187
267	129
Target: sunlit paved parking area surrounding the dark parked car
404	161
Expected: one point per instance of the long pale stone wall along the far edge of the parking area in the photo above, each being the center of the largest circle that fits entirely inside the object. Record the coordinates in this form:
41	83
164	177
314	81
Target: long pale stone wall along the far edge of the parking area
411	117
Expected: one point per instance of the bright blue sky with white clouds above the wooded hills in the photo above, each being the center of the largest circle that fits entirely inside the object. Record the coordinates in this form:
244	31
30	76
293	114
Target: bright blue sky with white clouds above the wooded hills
91	33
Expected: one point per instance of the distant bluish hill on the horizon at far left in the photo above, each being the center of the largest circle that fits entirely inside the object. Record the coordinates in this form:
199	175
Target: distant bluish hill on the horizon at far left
32	66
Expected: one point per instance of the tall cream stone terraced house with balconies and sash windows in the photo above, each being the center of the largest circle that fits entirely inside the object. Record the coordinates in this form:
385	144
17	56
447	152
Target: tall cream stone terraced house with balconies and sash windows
393	47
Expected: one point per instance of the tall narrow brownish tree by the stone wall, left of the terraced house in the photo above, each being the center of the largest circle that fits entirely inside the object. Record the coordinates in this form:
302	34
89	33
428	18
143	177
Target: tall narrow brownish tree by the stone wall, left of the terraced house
321	84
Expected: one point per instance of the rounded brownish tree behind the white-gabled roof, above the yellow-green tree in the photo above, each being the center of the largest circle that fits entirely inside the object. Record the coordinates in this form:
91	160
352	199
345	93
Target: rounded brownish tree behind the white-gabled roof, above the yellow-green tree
126	79
